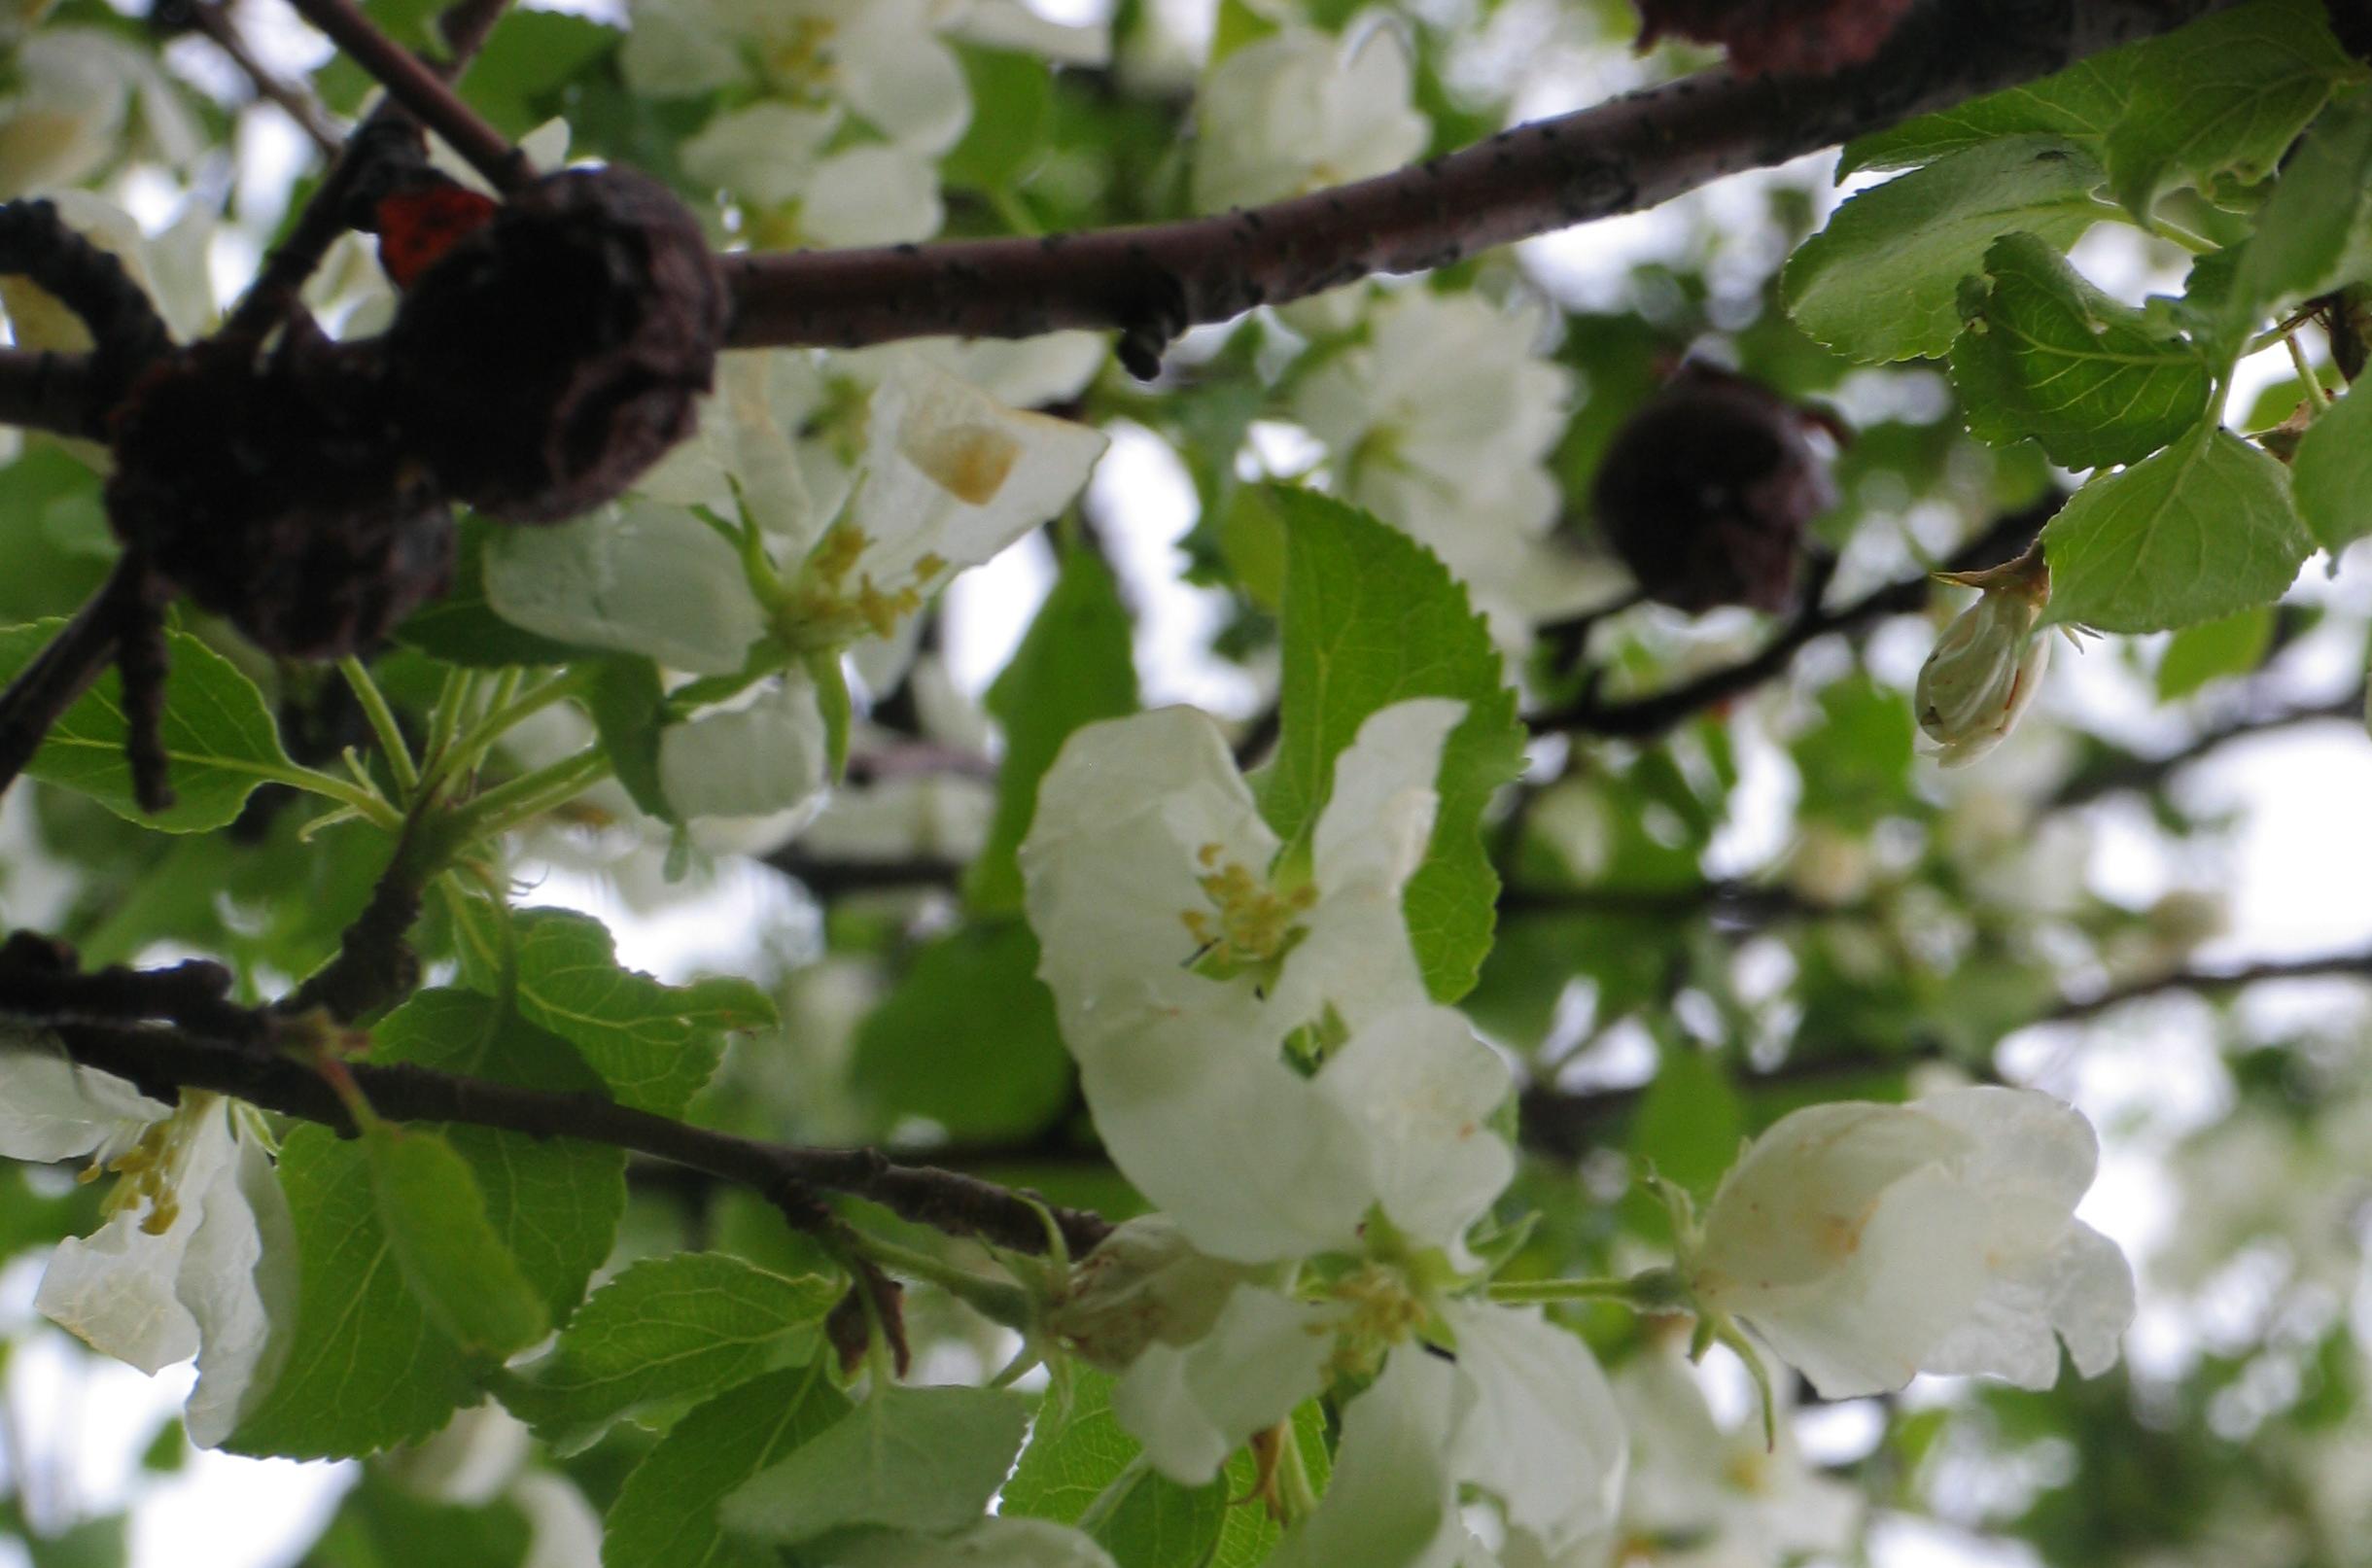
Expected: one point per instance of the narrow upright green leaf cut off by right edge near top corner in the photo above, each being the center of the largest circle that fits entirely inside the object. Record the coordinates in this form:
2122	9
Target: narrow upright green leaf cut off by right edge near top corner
2316	231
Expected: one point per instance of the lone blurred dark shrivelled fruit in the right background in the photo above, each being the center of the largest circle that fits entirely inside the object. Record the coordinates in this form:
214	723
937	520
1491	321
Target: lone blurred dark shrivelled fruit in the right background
1707	492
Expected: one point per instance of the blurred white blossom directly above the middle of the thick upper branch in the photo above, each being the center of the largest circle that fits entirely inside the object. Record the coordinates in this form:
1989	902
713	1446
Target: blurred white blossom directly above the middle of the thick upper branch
1303	110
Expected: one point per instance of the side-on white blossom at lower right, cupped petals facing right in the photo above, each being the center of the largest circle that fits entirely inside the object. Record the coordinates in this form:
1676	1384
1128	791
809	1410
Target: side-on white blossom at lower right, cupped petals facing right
1868	1244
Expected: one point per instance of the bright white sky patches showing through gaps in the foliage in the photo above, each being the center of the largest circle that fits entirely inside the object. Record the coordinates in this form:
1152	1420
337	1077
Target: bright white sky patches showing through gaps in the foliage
2297	877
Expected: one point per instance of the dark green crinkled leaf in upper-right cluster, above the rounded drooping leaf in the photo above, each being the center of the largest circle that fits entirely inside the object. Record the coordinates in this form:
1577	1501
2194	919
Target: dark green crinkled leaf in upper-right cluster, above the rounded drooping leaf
2051	357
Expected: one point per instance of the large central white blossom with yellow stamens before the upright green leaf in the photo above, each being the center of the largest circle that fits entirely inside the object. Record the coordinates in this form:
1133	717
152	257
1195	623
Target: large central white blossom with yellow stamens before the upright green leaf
1185	960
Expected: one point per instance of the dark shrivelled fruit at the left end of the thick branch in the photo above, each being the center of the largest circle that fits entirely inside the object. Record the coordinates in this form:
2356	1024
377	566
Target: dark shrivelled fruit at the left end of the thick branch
547	359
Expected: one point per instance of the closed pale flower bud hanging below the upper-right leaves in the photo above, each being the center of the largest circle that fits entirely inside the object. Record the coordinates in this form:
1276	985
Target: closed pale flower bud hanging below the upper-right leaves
1989	663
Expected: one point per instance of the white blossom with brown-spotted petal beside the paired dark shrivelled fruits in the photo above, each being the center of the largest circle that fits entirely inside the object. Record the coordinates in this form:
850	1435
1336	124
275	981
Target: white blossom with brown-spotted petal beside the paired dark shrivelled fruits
948	480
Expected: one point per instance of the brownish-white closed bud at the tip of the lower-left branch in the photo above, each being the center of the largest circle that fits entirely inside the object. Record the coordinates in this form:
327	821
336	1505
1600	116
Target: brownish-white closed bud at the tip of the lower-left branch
1144	1285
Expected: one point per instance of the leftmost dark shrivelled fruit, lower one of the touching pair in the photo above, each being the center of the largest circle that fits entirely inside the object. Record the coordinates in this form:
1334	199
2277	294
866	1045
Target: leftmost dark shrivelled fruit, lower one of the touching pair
279	497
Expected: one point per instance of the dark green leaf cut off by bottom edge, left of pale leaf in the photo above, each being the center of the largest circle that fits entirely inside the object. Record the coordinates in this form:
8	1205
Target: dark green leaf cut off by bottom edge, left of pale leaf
665	1517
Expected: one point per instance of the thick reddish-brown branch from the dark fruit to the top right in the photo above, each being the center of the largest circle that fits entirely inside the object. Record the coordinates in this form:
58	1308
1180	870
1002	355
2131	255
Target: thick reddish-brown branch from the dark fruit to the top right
1624	155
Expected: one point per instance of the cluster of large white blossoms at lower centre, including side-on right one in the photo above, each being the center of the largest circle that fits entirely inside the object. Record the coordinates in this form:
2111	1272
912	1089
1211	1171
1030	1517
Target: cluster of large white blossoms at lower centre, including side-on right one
1263	1062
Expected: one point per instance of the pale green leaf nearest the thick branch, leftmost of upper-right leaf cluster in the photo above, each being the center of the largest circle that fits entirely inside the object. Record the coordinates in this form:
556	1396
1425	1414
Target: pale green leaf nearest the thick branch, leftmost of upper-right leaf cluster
1882	279
